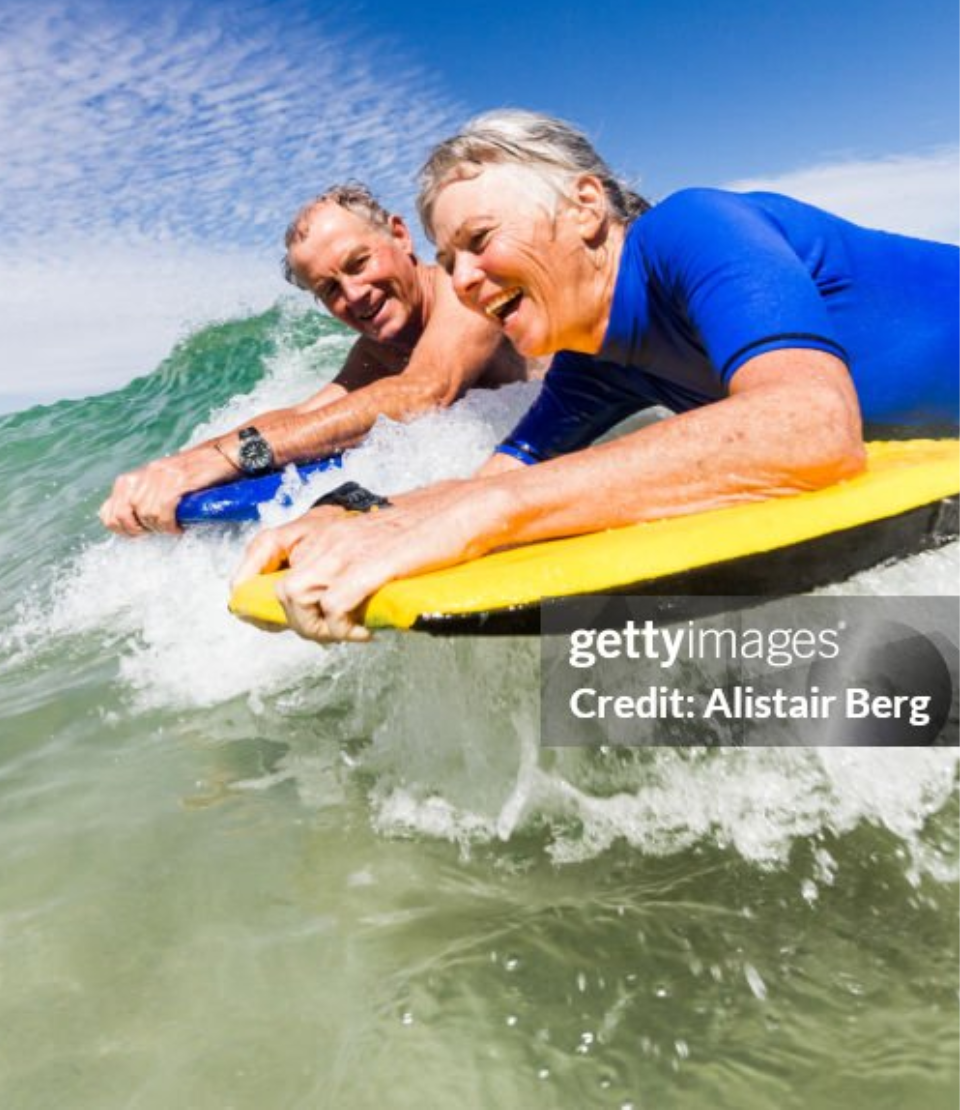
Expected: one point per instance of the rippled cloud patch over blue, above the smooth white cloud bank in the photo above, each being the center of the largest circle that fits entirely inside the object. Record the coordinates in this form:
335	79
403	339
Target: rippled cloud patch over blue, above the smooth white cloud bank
210	122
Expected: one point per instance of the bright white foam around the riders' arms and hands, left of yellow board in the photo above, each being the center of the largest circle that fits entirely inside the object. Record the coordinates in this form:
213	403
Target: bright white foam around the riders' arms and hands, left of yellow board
166	599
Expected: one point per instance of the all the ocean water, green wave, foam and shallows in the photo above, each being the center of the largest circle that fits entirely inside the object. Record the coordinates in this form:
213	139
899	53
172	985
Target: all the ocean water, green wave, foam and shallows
245	872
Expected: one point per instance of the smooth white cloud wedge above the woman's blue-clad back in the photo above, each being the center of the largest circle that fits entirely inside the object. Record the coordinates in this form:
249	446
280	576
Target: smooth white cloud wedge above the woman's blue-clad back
916	195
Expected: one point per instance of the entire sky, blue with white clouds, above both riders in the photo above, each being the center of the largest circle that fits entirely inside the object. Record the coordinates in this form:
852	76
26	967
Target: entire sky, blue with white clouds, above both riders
154	154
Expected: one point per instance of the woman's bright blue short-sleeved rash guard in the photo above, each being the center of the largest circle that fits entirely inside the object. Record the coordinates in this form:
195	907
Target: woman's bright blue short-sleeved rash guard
710	280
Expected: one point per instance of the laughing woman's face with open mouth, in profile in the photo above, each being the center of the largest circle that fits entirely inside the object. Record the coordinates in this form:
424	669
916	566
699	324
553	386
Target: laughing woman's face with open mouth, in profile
518	256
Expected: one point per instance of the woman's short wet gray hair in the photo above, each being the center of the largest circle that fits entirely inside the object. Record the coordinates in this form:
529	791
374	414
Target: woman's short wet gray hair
553	149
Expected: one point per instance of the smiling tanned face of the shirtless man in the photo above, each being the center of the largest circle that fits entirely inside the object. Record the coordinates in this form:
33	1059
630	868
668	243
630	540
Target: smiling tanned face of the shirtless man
363	275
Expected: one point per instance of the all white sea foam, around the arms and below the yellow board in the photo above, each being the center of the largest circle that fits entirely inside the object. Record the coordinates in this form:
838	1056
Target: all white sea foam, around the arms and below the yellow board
454	749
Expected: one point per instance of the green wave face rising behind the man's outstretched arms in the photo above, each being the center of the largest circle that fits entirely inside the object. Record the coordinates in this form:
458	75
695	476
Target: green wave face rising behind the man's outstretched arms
59	461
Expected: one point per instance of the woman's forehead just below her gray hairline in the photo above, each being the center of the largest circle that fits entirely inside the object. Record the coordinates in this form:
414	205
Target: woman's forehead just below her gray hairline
494	190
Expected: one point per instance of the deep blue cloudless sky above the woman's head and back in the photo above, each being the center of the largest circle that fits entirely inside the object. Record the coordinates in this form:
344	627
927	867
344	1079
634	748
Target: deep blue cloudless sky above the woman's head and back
704	90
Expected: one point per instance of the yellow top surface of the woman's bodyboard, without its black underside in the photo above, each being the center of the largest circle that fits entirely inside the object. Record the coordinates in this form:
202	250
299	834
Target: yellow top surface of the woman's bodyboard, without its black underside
901	477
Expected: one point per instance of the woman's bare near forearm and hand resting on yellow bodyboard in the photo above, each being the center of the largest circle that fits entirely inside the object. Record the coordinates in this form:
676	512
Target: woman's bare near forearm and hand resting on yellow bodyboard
791	425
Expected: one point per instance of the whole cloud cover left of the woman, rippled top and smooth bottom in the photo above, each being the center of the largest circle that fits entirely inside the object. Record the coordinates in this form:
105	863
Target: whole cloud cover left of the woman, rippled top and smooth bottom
153	158
